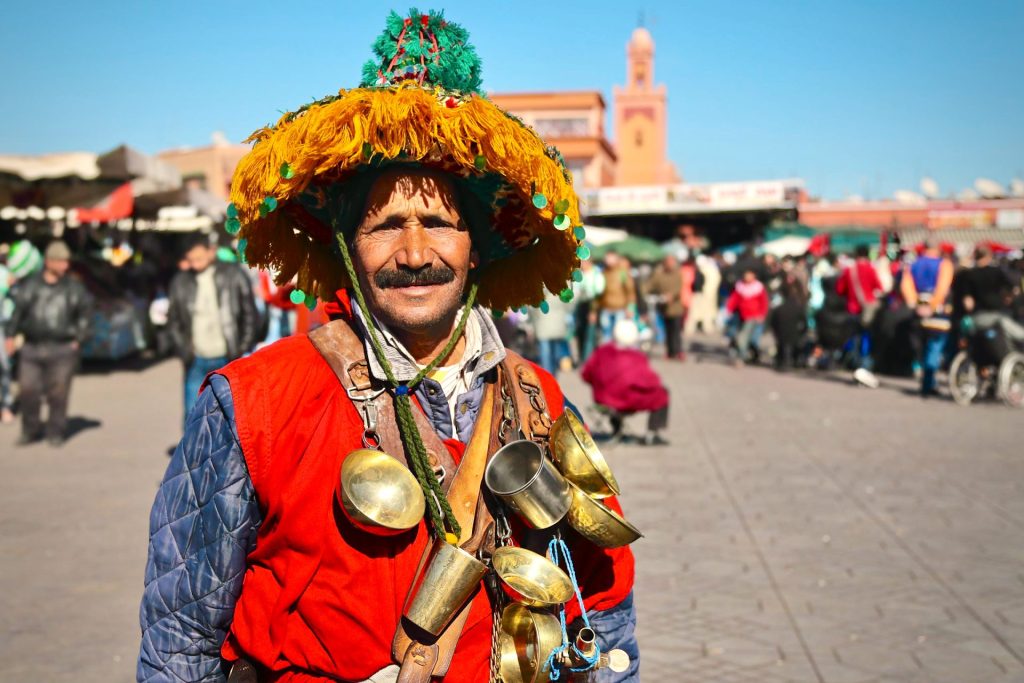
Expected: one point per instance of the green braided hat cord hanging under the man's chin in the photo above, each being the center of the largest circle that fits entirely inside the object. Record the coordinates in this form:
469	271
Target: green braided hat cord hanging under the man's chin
440	509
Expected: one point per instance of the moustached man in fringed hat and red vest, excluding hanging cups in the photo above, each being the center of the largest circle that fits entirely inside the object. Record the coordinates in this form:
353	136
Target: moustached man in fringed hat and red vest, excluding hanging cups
258	566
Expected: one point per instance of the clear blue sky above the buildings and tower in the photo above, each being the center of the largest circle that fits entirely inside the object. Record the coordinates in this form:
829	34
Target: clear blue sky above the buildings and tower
861	97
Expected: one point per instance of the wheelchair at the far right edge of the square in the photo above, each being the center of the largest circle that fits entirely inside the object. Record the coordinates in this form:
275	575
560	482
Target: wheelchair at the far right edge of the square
989	365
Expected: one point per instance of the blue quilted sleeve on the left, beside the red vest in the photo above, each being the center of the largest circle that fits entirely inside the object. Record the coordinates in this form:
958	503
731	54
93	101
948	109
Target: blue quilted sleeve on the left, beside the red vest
202	528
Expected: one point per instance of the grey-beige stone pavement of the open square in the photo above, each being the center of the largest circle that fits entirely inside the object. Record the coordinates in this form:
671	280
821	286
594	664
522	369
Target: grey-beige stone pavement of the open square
798	529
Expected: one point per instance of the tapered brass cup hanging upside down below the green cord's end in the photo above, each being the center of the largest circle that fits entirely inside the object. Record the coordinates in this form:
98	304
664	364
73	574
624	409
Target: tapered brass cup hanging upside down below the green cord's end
444	585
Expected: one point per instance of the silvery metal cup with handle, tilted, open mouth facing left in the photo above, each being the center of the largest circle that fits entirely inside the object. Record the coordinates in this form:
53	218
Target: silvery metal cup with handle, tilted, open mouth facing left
522	476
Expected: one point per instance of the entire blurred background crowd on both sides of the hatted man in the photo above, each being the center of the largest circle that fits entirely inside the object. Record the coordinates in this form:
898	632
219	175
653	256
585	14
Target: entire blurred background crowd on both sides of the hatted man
895	311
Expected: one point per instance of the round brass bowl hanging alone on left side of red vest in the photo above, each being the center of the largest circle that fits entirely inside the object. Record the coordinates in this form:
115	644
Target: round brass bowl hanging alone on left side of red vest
378	493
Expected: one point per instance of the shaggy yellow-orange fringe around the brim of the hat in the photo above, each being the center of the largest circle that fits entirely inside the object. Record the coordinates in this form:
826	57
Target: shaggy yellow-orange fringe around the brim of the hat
327	141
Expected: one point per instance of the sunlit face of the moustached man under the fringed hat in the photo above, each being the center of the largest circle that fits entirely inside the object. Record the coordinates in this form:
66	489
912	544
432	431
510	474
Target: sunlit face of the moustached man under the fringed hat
413	251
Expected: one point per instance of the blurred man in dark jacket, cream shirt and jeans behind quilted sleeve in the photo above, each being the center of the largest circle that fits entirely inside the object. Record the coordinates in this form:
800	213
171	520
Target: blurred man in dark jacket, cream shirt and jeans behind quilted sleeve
212	318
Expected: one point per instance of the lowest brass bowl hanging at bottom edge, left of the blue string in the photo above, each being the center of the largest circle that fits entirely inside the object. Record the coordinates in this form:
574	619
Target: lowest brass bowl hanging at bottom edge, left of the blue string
527	641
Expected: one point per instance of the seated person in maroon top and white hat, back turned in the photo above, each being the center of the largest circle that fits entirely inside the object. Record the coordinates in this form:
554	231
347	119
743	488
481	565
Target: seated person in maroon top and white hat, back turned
623	381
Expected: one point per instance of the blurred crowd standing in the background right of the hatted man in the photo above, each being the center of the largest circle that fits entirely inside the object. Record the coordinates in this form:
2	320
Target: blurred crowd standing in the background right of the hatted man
900	311
